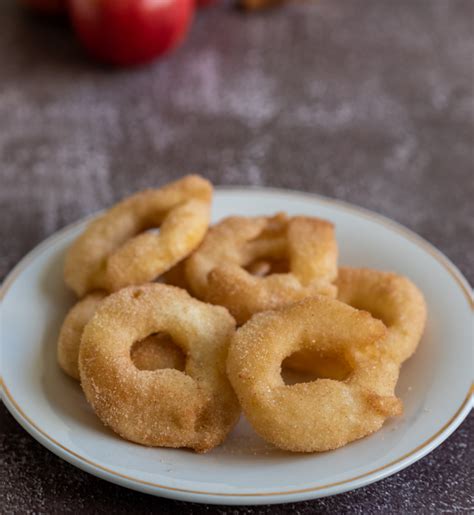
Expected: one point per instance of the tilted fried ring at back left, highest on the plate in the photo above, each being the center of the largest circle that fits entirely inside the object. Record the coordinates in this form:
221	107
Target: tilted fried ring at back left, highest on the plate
117	250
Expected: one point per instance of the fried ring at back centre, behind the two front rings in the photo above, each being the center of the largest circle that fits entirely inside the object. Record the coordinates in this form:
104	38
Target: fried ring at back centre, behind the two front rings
217	272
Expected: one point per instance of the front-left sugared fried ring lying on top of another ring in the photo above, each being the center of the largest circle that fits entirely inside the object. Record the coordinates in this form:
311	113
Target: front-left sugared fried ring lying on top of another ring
167	408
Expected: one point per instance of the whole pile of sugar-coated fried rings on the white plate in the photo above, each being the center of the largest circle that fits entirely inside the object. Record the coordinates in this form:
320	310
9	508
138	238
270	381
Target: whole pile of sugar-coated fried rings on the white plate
180	326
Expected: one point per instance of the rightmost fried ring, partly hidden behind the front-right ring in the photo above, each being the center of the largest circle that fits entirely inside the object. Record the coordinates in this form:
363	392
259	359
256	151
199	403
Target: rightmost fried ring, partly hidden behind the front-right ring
391	298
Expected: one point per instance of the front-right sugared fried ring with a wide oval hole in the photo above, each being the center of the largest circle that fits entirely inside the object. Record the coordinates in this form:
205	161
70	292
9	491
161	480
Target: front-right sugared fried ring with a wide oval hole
323	414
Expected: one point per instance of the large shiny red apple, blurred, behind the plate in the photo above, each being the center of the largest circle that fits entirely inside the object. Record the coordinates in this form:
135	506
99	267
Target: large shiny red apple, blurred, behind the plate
127	32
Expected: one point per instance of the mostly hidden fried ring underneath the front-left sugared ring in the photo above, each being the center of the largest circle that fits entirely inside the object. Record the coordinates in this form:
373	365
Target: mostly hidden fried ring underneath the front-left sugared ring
155	351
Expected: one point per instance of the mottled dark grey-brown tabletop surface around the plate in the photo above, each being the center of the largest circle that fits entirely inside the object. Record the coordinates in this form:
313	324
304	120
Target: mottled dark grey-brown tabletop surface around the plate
366	101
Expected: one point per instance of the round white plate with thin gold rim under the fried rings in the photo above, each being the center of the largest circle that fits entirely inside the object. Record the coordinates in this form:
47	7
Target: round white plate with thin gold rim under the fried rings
435	385
